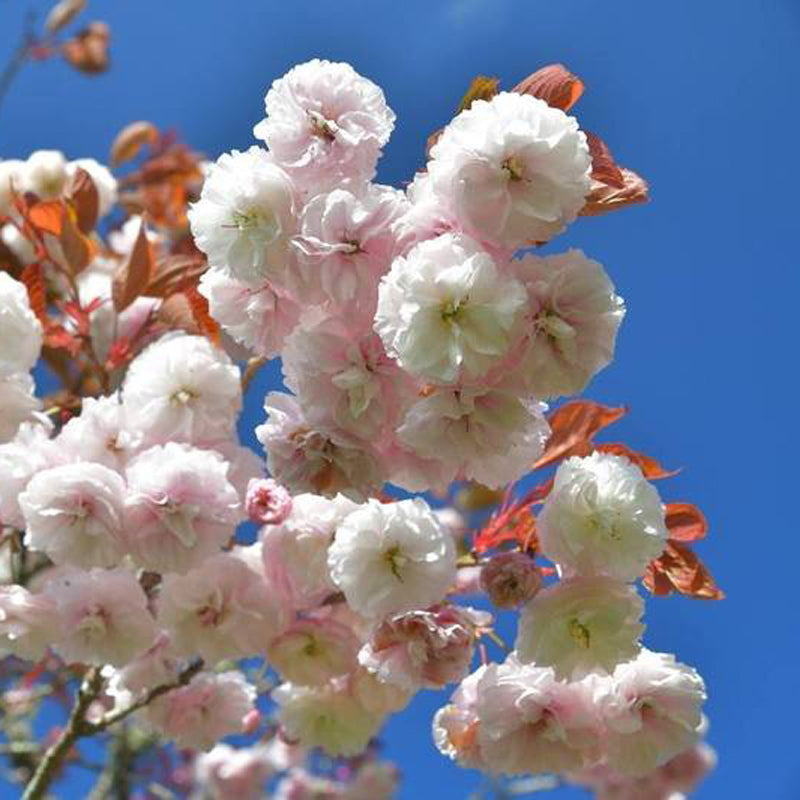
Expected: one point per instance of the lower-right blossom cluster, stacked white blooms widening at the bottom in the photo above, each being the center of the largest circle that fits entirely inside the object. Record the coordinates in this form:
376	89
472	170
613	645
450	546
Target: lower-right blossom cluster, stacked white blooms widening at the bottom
579	695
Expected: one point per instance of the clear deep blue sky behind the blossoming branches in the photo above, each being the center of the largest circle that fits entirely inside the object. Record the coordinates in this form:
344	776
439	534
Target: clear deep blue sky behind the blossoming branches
699	96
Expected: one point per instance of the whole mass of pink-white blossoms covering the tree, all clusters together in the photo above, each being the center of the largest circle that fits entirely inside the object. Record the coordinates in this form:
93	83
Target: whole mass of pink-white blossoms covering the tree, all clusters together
419	337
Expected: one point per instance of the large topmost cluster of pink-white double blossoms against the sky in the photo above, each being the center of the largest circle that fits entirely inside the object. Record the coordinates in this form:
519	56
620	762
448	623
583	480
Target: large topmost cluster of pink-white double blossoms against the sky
417	348
